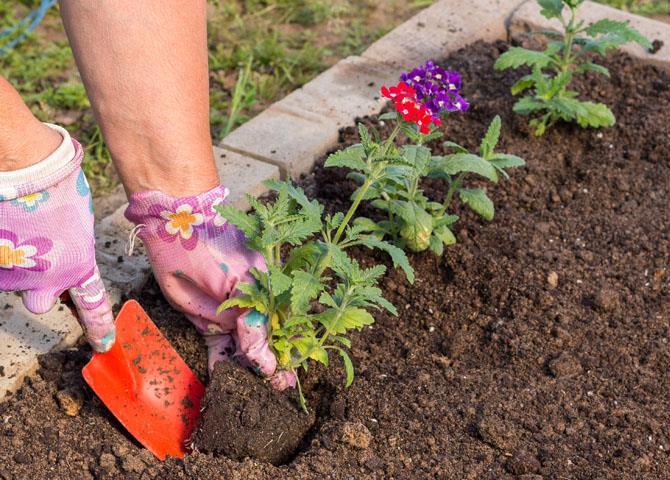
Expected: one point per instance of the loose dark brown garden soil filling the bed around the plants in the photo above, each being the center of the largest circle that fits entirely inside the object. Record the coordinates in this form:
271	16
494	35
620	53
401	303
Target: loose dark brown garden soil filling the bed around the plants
536	348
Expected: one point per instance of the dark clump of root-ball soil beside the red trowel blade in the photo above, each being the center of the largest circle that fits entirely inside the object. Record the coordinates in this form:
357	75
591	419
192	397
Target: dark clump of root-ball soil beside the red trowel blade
245	417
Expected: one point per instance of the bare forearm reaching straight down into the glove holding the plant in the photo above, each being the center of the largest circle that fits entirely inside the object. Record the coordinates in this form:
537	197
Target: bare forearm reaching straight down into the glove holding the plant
144	65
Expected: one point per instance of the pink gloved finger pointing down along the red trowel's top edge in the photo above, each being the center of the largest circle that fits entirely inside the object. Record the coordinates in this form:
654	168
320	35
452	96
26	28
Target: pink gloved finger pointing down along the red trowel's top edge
95	312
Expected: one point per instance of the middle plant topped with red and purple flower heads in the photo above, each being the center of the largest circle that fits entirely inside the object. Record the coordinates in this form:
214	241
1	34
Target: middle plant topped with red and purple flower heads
414	222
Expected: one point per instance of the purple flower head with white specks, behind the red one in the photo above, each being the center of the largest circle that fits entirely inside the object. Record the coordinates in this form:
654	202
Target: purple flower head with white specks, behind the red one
437	88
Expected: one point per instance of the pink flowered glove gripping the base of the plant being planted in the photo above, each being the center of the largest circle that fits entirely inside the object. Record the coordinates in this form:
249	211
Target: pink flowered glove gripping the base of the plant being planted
198	259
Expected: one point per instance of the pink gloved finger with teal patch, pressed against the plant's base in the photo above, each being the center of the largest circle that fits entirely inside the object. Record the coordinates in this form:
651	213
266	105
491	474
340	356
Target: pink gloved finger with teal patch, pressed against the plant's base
252	334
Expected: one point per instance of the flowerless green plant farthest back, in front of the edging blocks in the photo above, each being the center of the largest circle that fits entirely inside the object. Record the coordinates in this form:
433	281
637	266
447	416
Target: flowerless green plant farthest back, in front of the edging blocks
566	55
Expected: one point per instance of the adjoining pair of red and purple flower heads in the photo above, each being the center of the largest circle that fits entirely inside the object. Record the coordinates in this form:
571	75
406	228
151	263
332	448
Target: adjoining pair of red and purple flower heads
425	94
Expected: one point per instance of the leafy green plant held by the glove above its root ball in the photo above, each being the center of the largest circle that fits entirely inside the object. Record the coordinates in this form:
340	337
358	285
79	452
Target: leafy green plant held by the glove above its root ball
315	296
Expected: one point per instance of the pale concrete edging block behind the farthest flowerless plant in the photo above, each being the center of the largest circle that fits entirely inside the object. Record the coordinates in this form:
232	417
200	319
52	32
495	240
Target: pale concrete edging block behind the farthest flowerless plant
528	19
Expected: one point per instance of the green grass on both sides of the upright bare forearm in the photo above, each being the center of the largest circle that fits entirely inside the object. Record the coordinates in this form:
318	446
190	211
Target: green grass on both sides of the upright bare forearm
259	51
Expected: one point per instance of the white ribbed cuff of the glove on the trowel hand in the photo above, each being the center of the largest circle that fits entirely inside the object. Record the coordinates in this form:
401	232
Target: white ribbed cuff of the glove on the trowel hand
46	173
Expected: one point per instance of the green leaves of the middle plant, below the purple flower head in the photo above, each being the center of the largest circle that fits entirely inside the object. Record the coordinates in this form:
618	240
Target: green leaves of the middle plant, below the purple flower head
416	223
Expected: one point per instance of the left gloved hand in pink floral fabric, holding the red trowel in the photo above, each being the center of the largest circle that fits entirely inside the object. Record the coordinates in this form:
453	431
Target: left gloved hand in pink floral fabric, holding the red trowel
47	240
